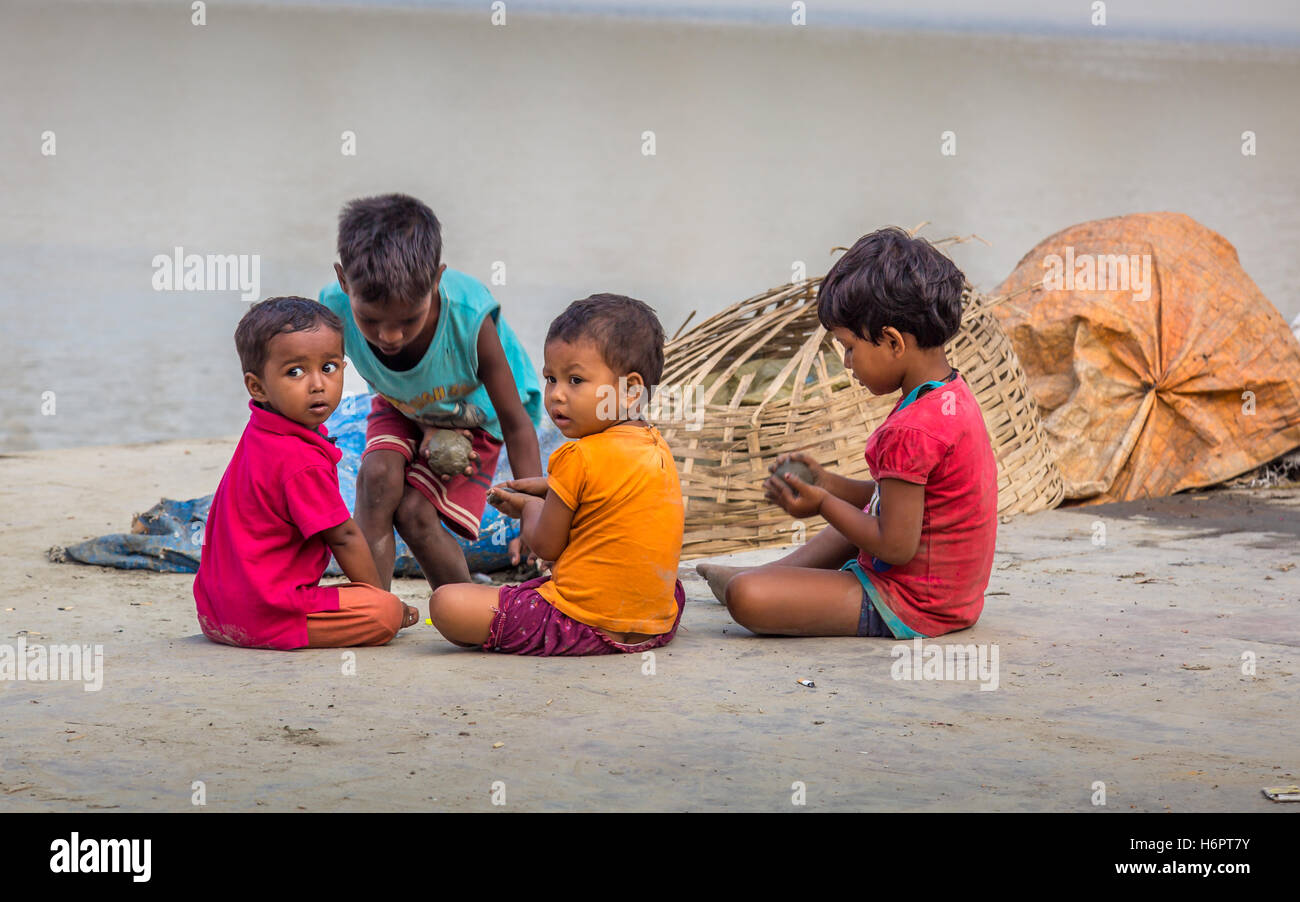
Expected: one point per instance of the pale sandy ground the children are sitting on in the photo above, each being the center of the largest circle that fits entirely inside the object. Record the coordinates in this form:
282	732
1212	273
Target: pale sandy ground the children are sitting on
1120	664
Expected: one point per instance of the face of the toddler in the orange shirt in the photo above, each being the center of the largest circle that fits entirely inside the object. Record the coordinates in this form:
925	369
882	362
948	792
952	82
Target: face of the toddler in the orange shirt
582	391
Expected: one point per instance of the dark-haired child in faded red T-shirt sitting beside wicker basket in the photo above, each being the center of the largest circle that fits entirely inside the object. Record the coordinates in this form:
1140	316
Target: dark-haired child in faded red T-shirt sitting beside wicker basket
909	553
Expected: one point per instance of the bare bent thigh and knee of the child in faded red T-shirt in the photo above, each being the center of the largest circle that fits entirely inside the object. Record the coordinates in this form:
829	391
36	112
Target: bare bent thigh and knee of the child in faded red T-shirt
796	601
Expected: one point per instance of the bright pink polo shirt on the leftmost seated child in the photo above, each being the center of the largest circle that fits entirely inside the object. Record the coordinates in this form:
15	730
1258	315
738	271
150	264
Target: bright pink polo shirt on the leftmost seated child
263	556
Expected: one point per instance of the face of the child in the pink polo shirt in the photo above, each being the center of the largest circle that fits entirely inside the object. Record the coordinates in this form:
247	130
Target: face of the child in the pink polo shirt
304	378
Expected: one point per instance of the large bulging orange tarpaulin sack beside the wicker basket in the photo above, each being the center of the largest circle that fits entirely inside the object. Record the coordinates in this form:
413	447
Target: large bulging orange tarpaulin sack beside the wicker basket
1156	362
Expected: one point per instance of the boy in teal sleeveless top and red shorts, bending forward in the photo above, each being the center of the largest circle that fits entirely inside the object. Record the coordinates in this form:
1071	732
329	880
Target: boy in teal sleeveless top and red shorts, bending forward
436	353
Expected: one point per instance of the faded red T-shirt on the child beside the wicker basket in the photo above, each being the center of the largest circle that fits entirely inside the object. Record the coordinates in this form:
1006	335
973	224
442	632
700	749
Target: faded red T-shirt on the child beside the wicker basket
941	441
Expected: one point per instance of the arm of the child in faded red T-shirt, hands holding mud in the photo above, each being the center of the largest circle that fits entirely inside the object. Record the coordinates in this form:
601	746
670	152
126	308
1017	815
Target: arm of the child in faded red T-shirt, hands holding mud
894	537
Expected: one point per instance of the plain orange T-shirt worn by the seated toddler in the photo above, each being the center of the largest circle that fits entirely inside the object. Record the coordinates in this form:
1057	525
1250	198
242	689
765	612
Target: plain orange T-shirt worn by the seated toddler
619	570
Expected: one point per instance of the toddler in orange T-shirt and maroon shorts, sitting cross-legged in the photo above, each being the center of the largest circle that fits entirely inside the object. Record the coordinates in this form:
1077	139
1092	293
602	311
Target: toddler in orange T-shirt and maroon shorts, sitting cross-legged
609	513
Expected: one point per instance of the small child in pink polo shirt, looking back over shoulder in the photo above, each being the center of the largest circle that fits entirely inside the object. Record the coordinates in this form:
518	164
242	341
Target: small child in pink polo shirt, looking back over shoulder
278	514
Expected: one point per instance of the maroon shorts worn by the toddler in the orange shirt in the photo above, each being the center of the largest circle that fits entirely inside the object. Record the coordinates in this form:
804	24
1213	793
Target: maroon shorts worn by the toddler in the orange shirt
527	625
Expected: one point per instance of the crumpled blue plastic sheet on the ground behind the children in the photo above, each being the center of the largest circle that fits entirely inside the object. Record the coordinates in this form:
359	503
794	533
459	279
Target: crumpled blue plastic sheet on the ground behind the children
170	536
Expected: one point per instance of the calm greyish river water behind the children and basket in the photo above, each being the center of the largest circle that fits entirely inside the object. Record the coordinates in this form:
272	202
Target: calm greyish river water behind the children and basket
772	146
